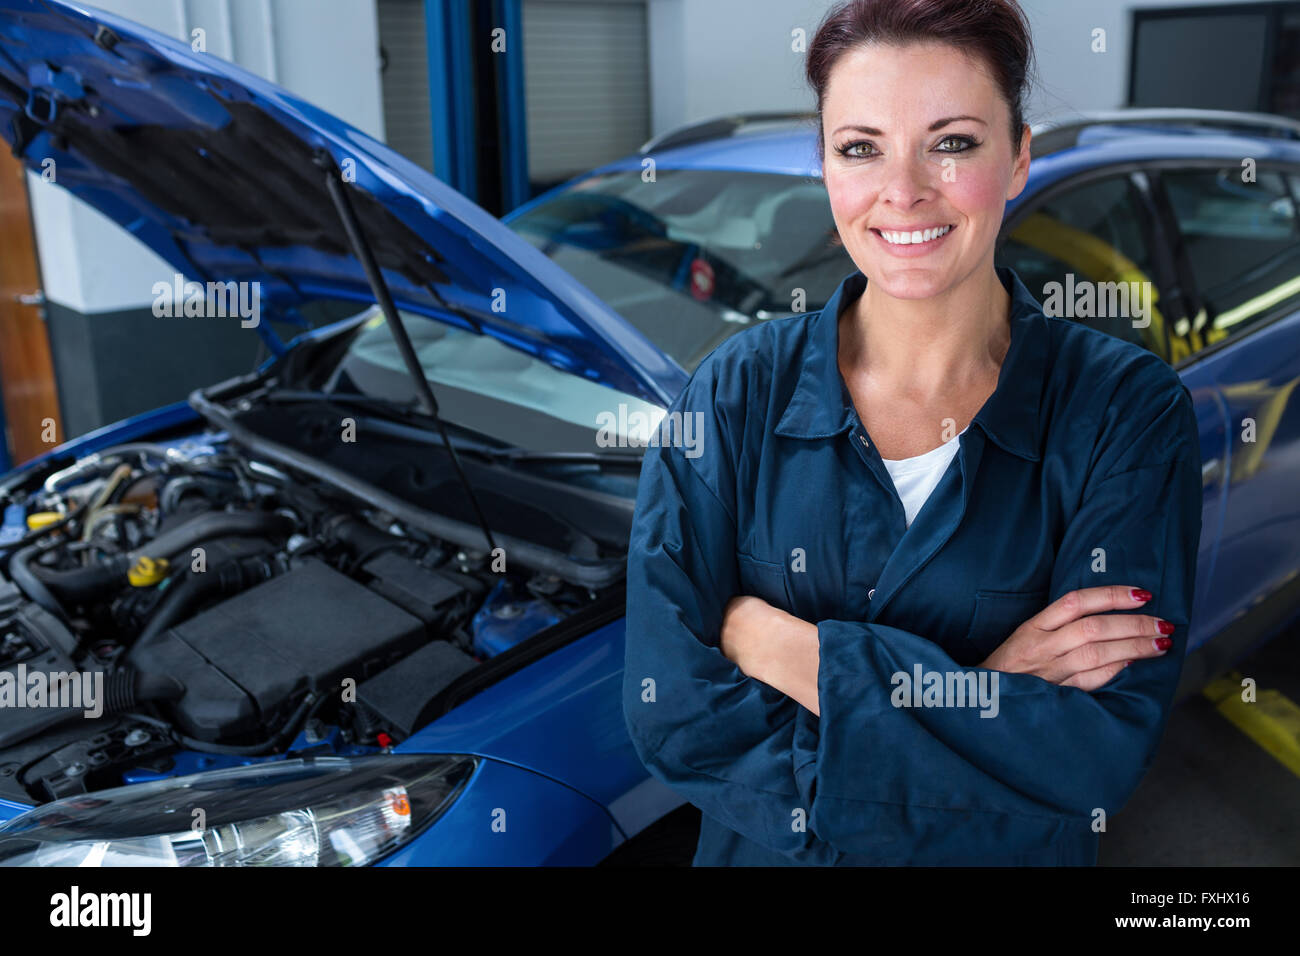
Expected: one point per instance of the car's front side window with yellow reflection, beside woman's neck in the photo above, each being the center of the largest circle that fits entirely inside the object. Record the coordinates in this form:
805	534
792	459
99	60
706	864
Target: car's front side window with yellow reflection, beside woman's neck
1086	256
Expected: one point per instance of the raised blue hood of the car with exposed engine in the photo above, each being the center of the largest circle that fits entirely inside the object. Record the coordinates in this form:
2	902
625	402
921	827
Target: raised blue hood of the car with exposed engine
216	171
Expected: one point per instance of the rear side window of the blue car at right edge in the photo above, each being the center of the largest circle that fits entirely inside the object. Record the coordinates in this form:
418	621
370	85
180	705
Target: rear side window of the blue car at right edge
1242	241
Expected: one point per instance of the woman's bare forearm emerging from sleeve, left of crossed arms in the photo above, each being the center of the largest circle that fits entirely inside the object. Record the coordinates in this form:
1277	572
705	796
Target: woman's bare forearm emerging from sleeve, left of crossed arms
774	647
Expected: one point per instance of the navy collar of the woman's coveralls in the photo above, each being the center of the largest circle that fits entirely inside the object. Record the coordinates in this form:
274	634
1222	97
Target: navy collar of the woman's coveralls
821	405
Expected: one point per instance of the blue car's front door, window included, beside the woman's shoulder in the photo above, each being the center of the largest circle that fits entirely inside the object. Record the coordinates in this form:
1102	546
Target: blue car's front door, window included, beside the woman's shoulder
1104	227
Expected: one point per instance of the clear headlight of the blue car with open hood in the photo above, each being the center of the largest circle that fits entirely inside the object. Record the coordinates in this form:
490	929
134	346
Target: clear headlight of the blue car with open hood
309	812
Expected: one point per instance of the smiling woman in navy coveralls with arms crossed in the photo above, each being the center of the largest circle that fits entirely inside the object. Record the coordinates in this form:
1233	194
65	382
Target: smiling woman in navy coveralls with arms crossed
972	667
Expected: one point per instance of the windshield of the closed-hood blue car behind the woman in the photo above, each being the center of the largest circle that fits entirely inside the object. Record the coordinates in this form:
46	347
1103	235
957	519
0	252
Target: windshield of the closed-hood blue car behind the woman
697	256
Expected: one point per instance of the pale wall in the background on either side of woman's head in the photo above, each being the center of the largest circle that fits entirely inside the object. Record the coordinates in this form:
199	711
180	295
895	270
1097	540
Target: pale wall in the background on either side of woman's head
720	57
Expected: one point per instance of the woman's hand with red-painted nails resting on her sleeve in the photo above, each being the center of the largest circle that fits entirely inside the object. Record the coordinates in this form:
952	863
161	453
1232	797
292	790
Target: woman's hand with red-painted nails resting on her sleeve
1074	643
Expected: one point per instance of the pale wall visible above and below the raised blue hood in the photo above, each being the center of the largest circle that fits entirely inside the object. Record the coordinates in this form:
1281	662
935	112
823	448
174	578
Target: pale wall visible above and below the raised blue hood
326	51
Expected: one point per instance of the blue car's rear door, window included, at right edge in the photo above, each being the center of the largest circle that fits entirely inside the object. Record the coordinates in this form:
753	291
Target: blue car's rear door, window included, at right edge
1240	244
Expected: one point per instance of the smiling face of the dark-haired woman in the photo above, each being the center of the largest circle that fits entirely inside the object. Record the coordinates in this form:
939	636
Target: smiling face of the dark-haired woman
917	139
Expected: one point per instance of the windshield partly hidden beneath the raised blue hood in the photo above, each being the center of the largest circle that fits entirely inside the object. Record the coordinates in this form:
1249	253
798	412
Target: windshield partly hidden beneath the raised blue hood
497	391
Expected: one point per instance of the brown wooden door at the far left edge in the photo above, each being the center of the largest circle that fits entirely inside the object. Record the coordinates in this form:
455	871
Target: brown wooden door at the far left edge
27	371
